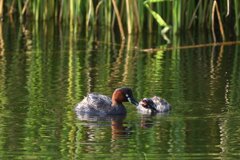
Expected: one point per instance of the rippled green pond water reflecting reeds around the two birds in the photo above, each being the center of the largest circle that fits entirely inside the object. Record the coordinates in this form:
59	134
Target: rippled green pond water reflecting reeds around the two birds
45	72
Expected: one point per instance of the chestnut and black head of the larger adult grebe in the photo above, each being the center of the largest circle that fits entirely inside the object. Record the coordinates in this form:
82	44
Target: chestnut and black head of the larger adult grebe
123	95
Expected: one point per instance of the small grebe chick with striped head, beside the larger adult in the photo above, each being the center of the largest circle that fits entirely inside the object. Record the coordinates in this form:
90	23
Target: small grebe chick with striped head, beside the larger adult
154	105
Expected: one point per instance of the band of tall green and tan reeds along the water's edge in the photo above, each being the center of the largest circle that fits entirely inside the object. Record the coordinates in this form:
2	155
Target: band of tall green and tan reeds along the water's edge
129	16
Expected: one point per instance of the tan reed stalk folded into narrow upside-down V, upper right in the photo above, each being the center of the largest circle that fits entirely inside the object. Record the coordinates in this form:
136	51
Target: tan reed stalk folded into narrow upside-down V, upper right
215	7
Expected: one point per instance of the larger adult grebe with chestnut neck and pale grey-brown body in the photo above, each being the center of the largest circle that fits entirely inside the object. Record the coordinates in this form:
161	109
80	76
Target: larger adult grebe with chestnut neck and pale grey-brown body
98	104
